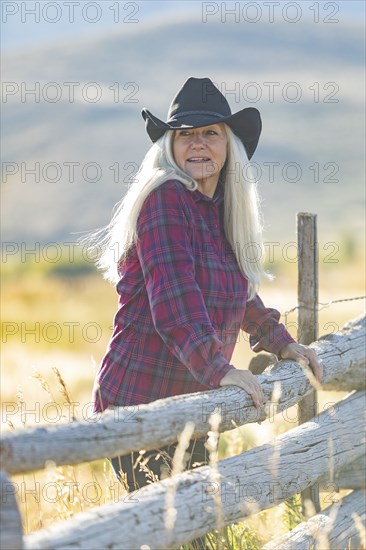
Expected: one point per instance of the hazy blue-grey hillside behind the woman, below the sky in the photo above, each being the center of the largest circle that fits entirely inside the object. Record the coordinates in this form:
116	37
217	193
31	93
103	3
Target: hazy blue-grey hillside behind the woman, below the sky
82	134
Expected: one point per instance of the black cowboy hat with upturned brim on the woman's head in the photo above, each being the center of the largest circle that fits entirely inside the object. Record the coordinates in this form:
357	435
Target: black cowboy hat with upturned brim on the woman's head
199	103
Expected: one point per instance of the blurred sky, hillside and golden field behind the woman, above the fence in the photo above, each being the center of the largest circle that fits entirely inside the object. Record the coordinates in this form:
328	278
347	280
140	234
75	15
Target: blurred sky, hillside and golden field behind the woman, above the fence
75	78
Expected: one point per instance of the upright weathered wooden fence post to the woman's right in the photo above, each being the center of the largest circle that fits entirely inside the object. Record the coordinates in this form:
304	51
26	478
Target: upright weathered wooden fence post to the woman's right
308	321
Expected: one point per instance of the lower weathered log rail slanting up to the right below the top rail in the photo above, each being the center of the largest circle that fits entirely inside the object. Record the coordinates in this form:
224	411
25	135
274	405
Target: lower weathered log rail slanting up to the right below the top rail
244	484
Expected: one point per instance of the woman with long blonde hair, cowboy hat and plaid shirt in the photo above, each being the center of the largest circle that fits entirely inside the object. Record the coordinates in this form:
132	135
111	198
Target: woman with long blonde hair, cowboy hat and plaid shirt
185	279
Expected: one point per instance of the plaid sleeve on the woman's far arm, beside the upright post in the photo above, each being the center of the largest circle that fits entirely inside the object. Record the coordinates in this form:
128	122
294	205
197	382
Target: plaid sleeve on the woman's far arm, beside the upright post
262	324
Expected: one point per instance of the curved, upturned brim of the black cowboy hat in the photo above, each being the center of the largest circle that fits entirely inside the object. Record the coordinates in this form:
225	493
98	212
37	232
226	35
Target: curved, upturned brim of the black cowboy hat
246	124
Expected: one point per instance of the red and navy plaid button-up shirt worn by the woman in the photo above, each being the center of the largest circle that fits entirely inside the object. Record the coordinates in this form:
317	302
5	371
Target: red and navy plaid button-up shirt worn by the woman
182	302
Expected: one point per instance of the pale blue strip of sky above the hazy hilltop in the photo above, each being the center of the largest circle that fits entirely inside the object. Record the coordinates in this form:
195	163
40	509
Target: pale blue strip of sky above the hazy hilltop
32	23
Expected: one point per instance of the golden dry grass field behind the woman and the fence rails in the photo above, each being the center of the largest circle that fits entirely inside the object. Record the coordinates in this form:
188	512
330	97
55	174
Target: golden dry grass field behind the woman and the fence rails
57	320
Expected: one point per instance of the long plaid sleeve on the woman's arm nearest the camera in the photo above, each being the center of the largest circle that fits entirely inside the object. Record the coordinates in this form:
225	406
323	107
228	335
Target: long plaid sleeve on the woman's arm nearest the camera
177	306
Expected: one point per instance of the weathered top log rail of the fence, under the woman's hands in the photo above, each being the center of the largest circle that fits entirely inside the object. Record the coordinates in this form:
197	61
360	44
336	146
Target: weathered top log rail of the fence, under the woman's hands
124	429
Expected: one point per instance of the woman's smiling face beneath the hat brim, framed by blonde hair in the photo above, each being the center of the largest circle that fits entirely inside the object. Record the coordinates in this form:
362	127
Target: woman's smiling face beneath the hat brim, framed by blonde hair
201	153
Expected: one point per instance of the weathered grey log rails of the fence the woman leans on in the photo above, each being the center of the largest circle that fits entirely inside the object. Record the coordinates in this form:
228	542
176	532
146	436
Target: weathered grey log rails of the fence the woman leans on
328	450
